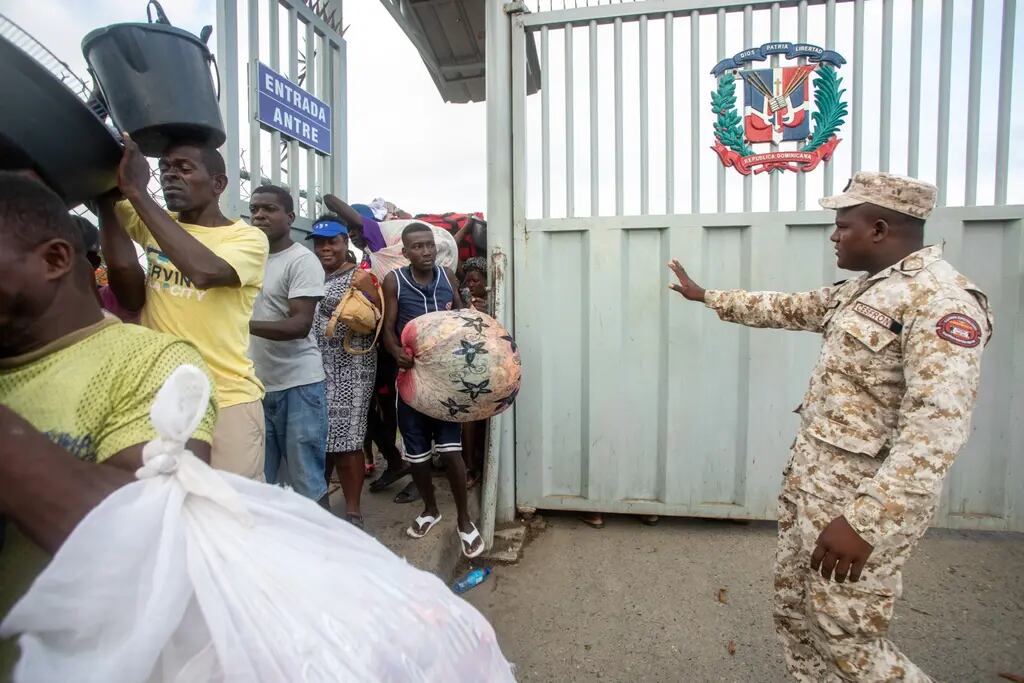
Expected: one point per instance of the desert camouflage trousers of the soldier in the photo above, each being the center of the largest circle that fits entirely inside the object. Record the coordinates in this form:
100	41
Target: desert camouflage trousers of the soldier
836	632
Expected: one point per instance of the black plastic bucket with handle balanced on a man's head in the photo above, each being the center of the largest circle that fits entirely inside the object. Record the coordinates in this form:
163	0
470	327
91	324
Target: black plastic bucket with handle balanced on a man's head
156	81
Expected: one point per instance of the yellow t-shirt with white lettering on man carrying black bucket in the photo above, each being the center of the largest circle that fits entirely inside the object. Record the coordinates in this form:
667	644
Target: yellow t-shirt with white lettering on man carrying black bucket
217	321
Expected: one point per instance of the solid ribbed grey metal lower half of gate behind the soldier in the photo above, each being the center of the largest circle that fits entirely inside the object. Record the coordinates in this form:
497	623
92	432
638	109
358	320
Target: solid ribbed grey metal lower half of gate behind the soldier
635	401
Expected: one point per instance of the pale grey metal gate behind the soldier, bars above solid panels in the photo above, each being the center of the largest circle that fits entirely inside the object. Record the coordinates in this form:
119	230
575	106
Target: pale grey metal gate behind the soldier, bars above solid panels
633	402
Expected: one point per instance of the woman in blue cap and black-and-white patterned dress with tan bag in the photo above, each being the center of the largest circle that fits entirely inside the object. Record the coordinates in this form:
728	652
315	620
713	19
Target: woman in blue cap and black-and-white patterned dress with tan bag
350	377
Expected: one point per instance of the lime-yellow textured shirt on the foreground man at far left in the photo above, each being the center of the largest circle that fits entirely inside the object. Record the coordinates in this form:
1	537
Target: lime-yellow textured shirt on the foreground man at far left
91	393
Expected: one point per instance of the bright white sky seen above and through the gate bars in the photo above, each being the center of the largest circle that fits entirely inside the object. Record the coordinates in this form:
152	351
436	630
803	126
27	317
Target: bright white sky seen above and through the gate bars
411	148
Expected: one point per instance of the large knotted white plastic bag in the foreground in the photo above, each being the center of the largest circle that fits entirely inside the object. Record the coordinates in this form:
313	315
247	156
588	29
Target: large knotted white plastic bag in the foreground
196	575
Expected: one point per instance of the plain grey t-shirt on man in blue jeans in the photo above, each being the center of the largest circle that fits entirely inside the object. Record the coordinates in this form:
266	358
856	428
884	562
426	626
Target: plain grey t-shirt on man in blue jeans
282	365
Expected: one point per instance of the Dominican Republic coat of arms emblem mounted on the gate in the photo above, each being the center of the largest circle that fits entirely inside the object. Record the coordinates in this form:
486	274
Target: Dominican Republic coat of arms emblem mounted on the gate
778	109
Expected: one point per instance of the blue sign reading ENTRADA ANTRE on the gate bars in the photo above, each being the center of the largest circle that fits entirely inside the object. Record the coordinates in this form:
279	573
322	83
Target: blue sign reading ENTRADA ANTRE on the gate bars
287	108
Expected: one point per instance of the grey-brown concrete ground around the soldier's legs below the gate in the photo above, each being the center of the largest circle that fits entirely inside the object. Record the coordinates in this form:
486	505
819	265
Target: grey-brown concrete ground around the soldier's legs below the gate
633	604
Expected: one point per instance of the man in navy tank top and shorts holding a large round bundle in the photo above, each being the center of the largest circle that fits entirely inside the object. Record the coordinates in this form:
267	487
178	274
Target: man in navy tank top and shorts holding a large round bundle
424	287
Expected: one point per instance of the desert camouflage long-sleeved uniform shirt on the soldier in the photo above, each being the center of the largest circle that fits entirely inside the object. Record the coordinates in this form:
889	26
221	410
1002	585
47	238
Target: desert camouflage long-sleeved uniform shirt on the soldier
893	389
